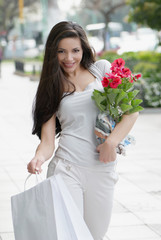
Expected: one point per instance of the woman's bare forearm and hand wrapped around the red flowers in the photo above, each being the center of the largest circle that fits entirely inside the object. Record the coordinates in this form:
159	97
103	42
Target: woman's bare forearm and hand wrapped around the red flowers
107	149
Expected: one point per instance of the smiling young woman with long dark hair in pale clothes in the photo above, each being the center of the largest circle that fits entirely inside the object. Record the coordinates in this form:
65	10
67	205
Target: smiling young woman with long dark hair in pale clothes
63	106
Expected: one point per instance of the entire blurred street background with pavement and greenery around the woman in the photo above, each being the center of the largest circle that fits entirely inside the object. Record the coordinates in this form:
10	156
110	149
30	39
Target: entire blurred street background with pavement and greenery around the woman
119	28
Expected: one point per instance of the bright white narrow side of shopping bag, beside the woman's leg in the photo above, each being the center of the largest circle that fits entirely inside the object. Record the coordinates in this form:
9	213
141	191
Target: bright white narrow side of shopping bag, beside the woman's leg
73	220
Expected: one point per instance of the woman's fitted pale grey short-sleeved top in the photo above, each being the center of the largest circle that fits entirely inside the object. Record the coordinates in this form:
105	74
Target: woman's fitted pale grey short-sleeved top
77	115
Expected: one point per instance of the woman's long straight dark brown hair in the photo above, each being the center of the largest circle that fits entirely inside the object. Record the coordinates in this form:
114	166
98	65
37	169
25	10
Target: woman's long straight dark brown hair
51	86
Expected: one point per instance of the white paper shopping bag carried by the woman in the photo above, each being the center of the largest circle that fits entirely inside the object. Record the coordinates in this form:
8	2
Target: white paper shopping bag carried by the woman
47	212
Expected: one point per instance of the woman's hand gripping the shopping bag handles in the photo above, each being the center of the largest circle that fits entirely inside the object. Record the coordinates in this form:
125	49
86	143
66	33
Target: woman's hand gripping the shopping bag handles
35	165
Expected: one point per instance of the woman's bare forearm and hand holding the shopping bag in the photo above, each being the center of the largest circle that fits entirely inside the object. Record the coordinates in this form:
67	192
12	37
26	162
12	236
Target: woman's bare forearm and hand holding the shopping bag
46	147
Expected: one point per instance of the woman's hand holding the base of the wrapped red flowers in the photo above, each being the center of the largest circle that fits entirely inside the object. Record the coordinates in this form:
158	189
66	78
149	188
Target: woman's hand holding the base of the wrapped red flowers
107	152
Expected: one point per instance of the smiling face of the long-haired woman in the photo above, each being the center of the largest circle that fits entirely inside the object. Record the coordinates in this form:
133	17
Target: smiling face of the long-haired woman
70	54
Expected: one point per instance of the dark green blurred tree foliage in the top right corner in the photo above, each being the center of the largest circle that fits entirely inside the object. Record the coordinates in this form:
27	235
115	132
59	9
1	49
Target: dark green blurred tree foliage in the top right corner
146	12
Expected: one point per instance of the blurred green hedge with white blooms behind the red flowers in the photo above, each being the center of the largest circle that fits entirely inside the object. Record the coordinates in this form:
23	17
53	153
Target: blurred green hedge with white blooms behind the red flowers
148	64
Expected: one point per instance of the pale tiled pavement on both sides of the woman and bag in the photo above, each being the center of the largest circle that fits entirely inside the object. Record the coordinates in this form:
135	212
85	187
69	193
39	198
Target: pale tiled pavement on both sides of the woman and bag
137	203
